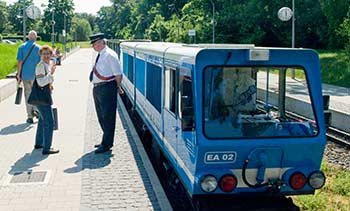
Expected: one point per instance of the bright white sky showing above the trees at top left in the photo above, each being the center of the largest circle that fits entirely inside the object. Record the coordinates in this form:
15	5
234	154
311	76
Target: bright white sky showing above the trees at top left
89	6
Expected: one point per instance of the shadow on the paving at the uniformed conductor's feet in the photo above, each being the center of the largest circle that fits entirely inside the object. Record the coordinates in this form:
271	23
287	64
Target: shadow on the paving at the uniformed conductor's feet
90	161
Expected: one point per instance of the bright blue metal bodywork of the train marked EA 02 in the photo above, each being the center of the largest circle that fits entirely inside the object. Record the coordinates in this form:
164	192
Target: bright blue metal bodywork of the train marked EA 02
193	155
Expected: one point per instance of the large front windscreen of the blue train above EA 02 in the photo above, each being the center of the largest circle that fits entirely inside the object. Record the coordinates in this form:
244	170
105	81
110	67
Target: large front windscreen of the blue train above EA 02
257	102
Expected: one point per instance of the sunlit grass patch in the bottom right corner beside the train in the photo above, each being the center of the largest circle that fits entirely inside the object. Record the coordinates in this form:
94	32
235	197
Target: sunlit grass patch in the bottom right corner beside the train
335	195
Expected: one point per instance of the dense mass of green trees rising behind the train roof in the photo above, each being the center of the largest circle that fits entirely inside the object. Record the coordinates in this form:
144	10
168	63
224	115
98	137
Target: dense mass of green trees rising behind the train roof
237	21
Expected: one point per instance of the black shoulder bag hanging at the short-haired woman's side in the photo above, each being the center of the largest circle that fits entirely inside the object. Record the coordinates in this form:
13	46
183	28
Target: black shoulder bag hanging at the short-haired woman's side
40	95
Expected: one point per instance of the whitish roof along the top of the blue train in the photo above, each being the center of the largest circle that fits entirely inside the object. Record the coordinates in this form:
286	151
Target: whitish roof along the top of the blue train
180	51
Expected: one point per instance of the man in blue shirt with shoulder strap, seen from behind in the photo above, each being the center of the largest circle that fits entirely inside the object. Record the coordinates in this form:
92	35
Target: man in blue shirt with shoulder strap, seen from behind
28	57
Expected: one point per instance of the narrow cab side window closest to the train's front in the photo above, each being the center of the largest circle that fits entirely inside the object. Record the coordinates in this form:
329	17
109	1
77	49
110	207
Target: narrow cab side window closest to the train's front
186	112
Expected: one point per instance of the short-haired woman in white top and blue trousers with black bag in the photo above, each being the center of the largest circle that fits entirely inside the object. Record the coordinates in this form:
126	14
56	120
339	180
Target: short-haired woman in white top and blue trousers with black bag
41	97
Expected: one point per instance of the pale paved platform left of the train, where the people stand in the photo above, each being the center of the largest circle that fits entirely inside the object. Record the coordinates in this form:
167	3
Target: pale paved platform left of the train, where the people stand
76	178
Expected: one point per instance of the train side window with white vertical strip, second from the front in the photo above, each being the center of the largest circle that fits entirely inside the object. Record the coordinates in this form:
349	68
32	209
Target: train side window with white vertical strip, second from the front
171	78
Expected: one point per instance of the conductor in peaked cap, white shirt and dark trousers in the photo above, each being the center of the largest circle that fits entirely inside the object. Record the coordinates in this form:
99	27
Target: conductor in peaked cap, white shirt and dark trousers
106	77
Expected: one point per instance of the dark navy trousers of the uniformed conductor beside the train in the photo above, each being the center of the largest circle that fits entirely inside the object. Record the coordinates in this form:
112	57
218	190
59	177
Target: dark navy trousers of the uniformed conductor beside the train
105	97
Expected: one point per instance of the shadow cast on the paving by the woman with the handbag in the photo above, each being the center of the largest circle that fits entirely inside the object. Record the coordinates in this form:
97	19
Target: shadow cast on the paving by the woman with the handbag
27	162
